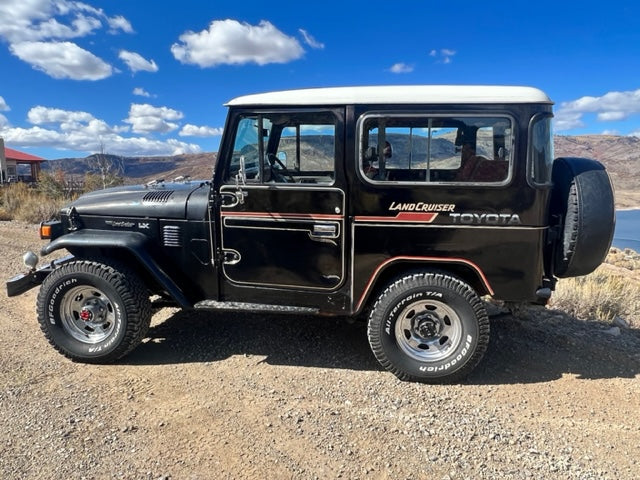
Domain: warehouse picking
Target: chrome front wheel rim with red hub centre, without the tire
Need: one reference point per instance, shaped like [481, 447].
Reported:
[87, 314]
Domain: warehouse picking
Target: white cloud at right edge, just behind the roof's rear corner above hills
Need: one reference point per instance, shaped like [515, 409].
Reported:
[611, 106]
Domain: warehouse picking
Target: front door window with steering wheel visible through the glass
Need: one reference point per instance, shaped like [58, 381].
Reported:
[285, 147]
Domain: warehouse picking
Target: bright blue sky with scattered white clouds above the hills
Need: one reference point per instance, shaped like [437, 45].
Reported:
[151, 78]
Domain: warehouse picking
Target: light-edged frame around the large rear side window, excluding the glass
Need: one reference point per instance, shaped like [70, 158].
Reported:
[429, 115]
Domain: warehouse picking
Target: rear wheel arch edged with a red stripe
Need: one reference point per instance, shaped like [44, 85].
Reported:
[395, 267]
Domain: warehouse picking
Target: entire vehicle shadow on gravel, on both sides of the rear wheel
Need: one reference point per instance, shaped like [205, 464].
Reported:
[536, 349]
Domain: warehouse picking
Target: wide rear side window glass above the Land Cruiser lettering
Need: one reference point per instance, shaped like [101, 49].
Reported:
[419, 148]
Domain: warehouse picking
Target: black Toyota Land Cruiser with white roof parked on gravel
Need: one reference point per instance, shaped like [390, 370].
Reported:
[404, 205]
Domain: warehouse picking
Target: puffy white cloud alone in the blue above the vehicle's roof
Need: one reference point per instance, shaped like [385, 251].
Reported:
[234, 43]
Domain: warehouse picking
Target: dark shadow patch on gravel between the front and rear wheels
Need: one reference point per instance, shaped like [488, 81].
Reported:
[301, 340]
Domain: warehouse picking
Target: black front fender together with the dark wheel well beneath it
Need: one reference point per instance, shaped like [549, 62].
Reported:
[131, 247]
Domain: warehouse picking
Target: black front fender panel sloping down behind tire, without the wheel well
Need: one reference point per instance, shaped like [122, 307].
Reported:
[134, 242]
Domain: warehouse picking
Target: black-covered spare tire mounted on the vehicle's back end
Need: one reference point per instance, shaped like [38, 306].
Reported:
[582, 201]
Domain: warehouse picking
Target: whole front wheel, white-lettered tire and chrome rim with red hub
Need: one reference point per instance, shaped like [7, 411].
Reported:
[93, 312]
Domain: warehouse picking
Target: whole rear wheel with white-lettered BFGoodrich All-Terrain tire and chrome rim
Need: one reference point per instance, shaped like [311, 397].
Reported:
[428, 327]
